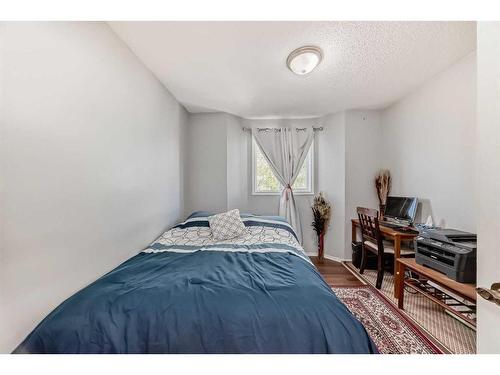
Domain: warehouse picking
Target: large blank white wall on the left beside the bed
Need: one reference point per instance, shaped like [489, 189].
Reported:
[90, 164]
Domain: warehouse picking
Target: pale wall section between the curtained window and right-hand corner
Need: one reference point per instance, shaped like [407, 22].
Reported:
[348, 159]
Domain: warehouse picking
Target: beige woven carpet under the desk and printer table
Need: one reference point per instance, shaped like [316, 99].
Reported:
[451, 333]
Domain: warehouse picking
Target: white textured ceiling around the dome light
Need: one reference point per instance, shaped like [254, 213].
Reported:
[239, 67]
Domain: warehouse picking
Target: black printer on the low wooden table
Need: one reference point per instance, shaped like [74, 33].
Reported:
[449, 251]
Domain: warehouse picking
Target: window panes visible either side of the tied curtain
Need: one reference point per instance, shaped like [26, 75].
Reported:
[264, 182]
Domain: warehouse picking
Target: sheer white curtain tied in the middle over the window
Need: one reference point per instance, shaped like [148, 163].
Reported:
[285, 149]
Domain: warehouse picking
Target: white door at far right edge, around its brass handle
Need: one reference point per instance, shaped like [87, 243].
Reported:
[488, 183]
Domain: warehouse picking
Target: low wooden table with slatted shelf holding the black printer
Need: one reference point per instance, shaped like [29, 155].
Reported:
[465, 291]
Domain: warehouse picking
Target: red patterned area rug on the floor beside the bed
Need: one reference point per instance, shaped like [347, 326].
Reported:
[392, 332]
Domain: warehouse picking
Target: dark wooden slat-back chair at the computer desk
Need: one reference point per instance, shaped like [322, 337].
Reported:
[373, 241]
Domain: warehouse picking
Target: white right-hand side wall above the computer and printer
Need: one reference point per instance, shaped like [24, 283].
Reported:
[429, 144]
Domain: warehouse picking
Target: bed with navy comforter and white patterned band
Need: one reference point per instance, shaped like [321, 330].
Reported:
[186, 293]
